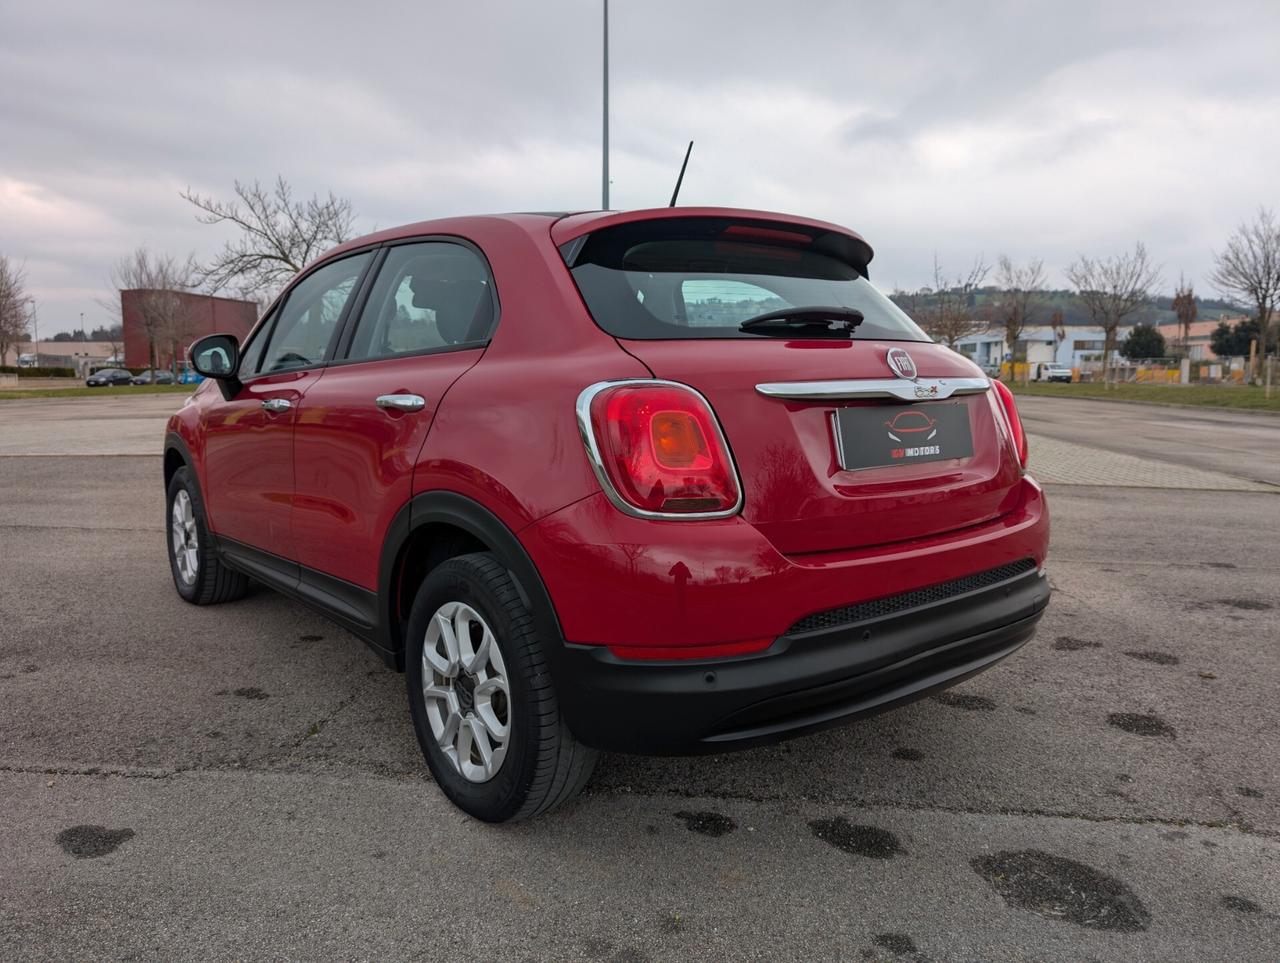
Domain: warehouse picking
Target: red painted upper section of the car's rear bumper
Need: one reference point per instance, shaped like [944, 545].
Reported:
[619, 582]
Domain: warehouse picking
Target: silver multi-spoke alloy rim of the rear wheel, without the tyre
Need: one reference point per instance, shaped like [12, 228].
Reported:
[467, 692]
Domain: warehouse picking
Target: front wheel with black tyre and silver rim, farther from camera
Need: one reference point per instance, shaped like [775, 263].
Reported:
[199, 574]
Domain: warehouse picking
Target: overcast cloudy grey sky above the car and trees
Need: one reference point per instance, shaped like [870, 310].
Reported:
[1036, 130]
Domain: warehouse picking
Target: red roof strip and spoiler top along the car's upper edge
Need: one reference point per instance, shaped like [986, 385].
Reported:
[566, 226]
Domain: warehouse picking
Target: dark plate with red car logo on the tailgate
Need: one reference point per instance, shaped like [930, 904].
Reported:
[881, 436]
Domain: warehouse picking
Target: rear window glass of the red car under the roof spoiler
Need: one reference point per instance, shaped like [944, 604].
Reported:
[703, 277]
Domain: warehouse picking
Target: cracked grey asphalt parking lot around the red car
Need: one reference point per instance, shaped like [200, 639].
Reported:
[243, 782]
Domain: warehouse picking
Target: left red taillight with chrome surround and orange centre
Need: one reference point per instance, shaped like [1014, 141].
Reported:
[659, 450]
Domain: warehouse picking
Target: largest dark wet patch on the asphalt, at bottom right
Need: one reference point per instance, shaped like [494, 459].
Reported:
[1057, 888]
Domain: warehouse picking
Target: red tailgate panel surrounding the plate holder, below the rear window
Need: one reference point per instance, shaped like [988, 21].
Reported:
[798, 496]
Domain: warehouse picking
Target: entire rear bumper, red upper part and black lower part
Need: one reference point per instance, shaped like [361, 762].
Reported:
[836, 635]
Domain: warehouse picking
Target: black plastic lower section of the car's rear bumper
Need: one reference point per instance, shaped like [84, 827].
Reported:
[807, 681]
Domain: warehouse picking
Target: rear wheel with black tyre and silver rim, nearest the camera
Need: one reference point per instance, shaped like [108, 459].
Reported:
[542, 765]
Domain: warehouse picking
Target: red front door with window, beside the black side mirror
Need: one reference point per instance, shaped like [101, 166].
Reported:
[249, 437]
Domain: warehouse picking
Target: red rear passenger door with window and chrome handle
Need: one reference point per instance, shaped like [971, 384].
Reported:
[427, 320]
